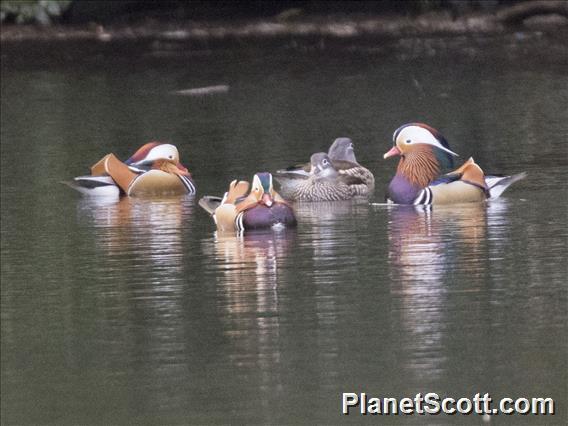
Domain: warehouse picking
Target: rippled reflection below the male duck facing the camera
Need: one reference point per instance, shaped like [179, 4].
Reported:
[249, 268]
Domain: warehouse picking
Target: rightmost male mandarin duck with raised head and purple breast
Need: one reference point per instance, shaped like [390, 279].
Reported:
[425, 155]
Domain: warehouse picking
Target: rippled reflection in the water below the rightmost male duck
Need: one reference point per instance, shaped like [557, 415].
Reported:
[430, 253]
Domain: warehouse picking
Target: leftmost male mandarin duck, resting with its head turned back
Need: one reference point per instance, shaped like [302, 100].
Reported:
[153, 170]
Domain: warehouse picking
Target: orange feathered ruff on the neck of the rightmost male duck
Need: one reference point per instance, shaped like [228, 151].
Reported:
[419, 167]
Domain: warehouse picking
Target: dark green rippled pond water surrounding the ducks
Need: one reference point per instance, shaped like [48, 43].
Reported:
[137, 312]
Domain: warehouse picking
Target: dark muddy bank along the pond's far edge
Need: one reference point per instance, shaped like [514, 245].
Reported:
[288, 25]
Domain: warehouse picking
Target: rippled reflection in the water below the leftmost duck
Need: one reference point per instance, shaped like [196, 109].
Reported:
[139, 284]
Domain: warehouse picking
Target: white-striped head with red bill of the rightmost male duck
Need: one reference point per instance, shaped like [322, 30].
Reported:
[415, 137]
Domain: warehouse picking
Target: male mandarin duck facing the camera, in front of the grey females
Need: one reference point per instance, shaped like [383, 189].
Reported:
[262, 208]
